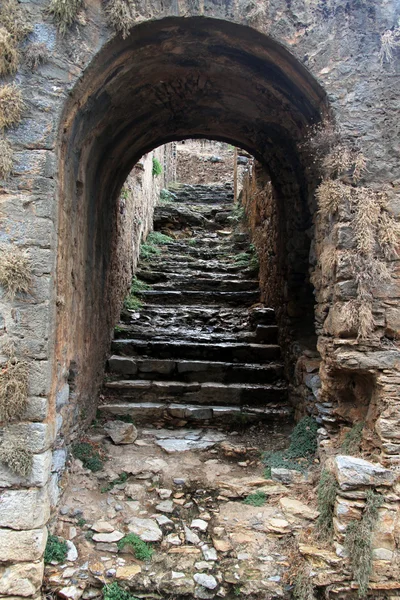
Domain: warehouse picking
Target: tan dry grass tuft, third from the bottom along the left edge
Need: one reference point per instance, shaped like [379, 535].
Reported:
[15, 271]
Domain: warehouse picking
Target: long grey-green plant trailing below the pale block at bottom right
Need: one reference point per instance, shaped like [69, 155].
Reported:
[358, 541]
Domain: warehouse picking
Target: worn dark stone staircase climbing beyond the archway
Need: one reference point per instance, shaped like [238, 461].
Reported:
[200, 350]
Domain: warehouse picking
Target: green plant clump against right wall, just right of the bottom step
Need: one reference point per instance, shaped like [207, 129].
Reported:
[303, 445]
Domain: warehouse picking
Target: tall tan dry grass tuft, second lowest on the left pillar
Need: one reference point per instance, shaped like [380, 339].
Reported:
[13, 389]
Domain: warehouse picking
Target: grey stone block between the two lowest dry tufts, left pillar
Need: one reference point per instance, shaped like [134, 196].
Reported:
[34, 437]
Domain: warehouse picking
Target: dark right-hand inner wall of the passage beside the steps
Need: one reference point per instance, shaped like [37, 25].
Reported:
[282, 232]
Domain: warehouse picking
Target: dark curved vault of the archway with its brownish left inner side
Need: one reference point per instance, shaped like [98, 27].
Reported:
[168, 80]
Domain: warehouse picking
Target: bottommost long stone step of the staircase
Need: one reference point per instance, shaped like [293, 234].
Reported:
[150, 412]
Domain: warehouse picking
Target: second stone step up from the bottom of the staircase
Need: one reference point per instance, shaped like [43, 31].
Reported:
[209, 392]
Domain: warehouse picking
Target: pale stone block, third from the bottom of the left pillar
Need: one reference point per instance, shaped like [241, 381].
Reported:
[24, 509]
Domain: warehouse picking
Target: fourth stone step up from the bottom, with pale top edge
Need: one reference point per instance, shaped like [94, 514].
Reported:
[226, 352]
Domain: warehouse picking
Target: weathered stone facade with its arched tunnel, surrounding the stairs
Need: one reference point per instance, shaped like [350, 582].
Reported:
[255, 74]
